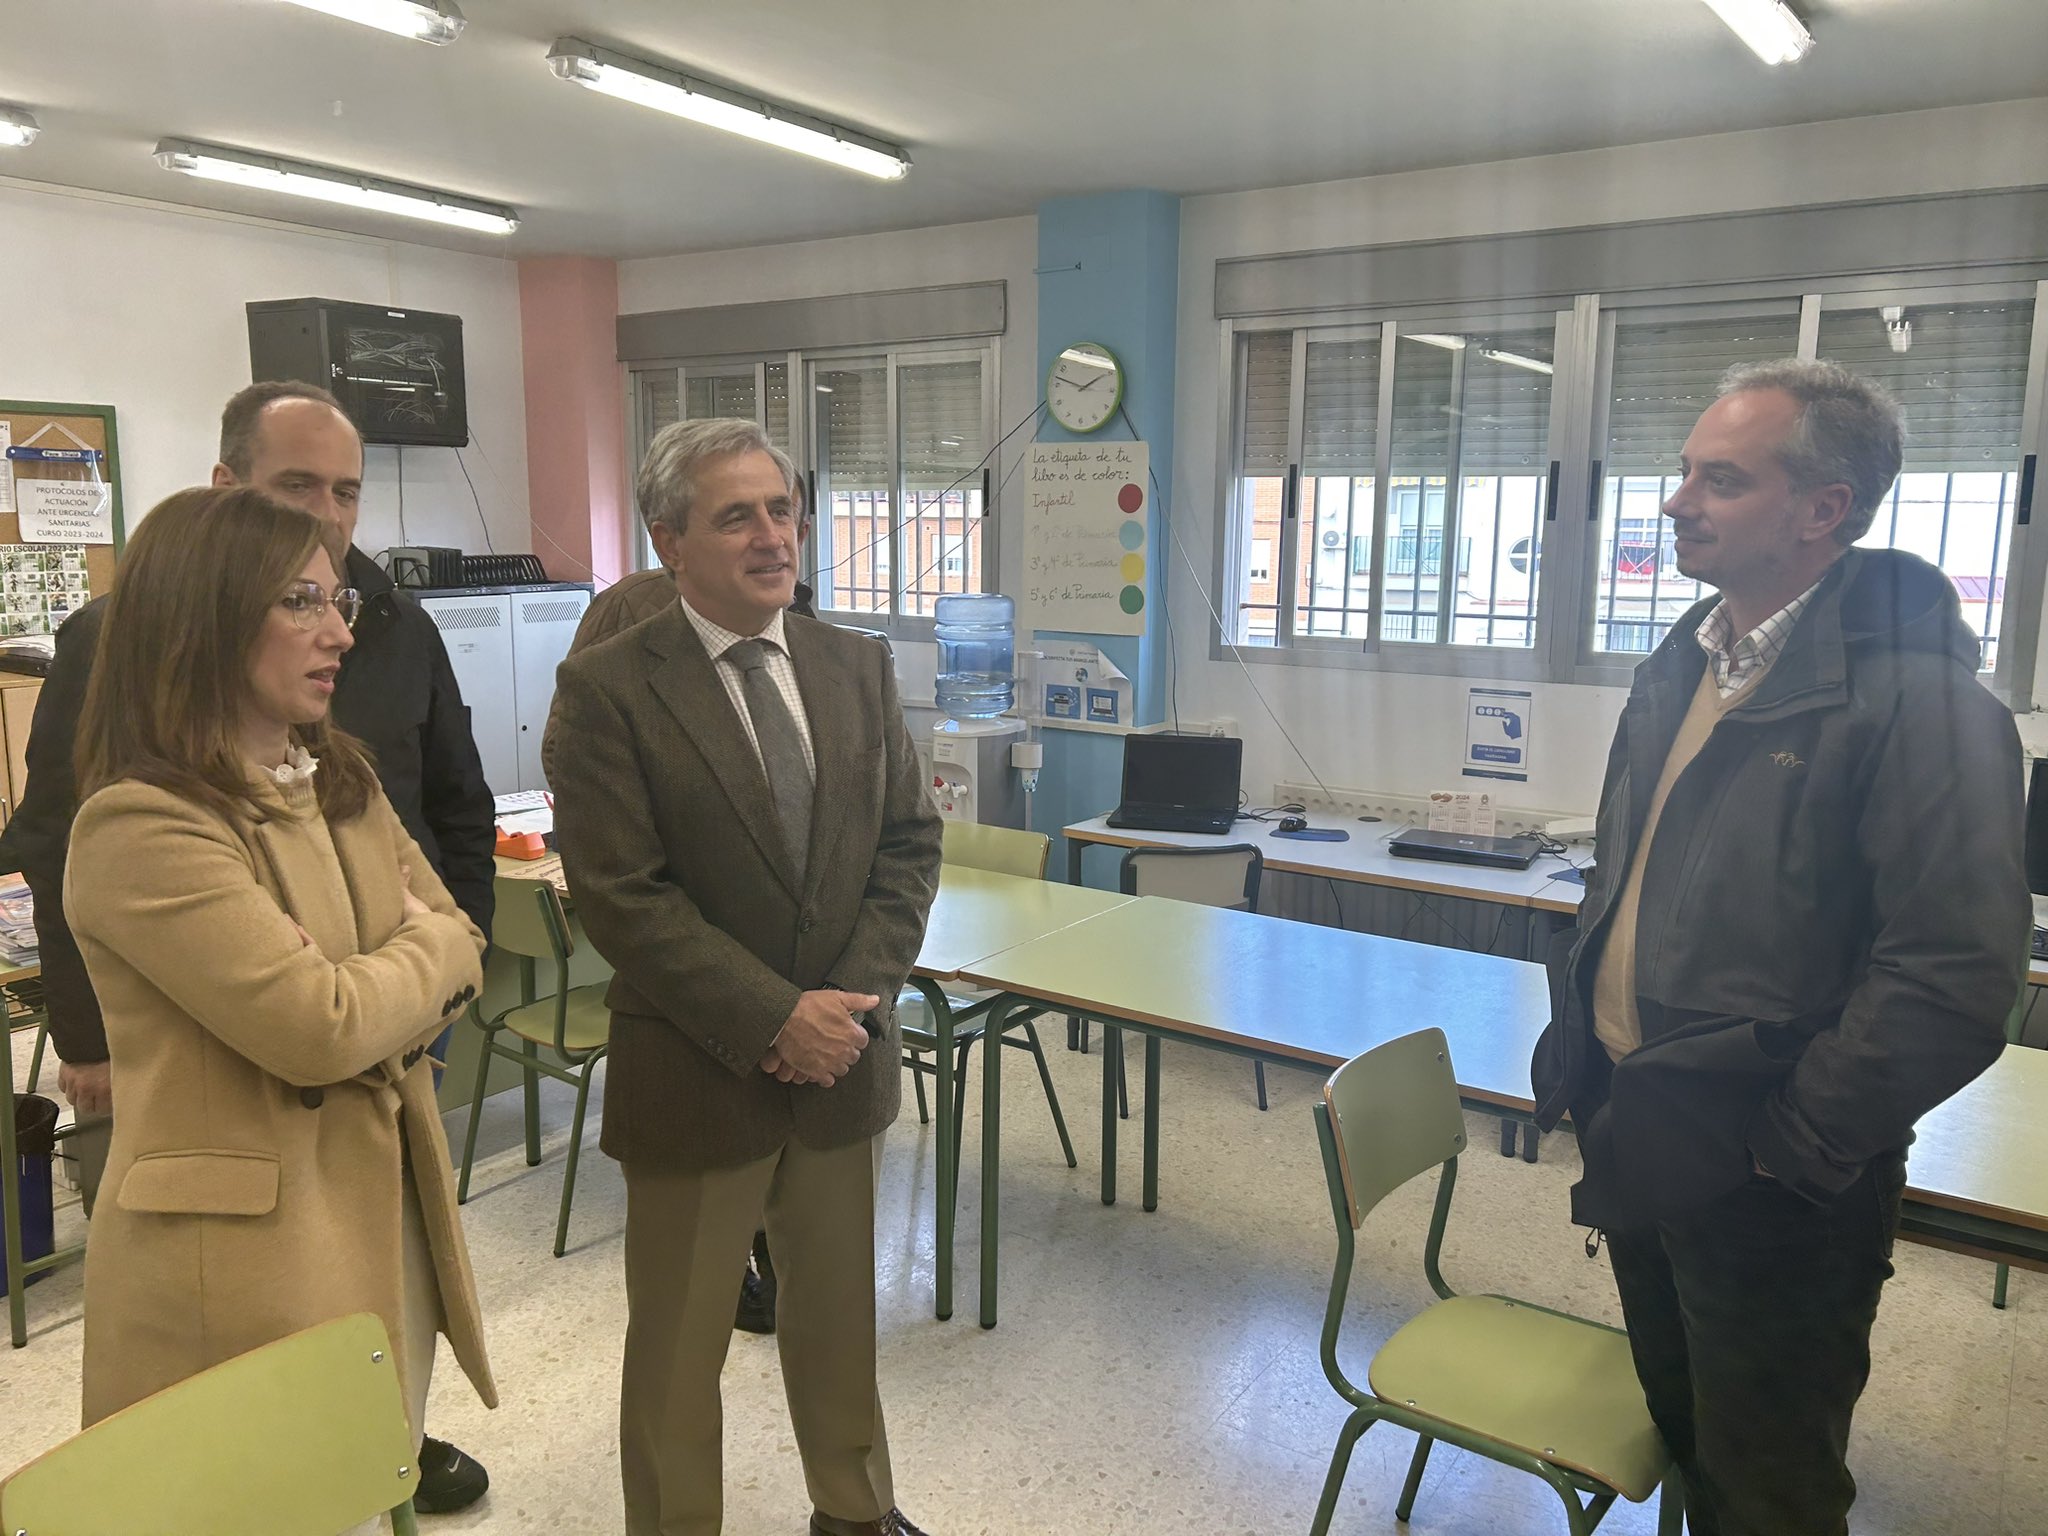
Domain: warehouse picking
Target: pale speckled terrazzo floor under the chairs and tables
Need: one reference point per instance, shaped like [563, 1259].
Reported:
[1154, 1373]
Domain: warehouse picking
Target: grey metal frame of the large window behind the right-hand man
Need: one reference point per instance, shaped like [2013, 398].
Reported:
[1568, 579]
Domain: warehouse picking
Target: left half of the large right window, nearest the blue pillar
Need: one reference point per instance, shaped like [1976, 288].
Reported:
[1394, 468]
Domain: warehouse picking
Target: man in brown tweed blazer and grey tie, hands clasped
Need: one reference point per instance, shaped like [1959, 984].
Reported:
[749, 843]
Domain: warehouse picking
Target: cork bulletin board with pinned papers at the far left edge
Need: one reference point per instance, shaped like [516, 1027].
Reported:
[60, 511]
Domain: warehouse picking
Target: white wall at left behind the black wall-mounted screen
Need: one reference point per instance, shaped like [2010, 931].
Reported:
[140, 308]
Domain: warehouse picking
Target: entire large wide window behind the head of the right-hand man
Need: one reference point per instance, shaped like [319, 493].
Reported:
[1402, 490]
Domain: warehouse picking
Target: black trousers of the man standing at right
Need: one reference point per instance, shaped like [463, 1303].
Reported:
[1750, 1322]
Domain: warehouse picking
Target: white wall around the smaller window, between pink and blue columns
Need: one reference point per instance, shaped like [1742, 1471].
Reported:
[906, 259]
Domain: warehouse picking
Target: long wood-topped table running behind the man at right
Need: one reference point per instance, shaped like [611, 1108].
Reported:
[1265, 986]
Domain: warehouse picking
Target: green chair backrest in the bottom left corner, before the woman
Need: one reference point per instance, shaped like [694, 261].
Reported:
[298, 1439]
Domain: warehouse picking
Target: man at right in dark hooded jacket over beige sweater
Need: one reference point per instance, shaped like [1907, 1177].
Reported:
[1805, 931]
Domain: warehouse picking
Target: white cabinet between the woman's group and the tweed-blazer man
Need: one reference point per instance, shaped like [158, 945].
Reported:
[505, 648]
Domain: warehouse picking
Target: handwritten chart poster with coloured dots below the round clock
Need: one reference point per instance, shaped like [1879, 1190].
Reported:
[1084, 538]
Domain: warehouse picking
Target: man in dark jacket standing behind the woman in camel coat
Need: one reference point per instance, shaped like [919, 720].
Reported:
[396, 693]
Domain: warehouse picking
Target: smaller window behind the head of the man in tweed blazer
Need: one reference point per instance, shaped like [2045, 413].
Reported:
[892, 445]
